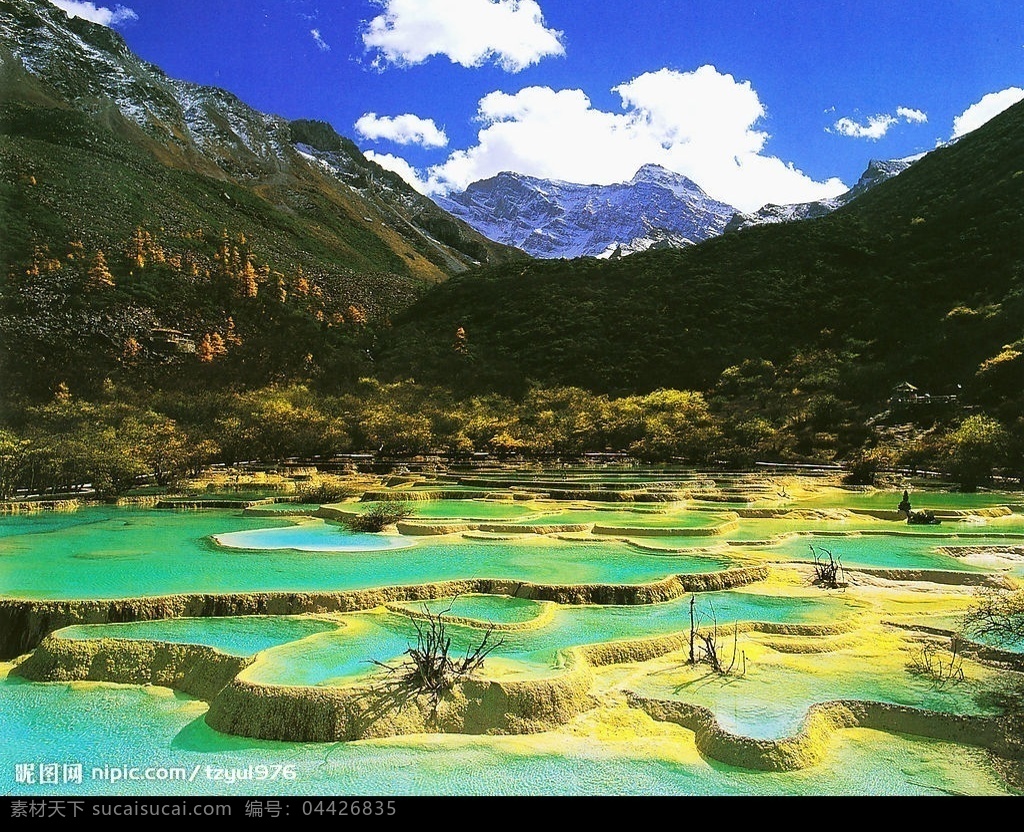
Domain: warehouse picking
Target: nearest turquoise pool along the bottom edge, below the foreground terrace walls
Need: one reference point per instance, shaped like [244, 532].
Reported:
[112, 726]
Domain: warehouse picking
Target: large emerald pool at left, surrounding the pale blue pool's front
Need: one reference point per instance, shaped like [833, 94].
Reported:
[107, 553]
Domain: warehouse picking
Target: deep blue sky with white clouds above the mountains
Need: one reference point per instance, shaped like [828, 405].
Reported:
[757, 101]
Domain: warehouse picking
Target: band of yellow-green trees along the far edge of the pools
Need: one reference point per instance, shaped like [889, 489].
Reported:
[123, 438]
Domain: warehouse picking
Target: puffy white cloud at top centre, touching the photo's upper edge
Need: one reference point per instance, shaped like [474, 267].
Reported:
[511, 33]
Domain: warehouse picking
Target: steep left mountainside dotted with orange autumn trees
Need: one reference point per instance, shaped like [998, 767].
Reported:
[276, 241]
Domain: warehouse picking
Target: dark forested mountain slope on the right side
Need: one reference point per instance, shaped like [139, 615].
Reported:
[921, 278]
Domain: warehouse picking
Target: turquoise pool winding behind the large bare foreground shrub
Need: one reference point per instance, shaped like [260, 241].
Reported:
[347, 654]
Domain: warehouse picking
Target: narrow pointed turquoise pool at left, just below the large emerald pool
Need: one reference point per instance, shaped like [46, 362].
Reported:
[242, 636]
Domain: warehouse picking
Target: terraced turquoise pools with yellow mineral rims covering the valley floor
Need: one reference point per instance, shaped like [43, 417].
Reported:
[795, 647]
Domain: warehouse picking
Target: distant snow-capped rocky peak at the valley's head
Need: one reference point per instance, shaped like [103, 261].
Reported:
[550, 219]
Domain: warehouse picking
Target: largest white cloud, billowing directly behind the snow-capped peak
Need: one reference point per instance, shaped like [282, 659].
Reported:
[700, 124]
